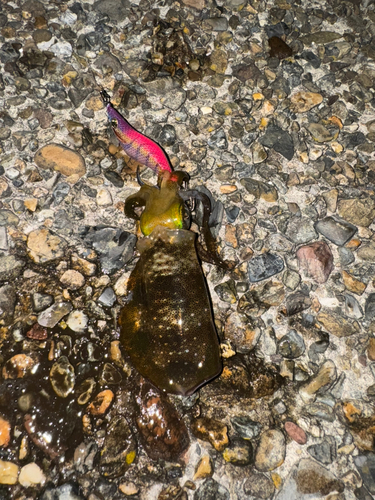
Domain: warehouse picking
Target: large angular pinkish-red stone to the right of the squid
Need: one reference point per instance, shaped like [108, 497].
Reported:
[316, 260]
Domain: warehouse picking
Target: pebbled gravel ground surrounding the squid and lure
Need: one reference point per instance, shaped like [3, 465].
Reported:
[269, 107]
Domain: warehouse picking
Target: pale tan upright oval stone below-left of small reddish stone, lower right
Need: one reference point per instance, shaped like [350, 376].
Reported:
[270, 453]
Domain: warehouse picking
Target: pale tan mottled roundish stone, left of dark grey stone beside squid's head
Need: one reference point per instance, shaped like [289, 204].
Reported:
[44, 246]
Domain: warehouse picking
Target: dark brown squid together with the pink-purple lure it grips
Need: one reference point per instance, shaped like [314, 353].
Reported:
[167, 326]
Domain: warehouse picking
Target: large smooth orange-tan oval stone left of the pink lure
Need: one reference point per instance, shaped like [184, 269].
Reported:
[61, 159]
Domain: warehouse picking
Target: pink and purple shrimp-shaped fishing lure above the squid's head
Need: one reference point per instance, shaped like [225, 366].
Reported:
[136, 145]
